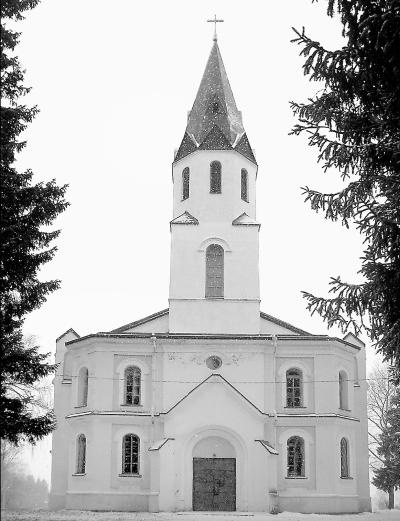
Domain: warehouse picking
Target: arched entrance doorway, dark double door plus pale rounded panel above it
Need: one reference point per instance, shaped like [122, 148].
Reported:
[214, 475]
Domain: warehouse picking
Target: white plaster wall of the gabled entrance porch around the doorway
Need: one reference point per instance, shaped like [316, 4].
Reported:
[224, 415]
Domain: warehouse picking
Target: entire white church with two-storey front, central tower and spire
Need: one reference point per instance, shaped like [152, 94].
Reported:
[211, 404]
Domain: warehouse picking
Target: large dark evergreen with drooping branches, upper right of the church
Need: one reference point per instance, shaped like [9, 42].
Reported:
[354, 121]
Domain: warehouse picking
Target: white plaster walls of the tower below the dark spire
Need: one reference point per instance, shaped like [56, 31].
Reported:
[238, 311]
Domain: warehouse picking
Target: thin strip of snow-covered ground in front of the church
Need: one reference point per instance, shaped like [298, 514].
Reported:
[77, 515]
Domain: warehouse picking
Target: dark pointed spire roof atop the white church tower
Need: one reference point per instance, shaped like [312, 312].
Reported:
[215, 123]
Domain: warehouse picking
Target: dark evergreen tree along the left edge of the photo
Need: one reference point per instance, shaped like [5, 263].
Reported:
[26, 210]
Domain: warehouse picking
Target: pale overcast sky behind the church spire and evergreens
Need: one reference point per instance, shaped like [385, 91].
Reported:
[114, 82]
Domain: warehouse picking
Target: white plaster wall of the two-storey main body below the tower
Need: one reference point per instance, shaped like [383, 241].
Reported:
[214, 409]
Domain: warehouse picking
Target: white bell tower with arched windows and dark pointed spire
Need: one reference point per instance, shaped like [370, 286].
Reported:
[214, 278]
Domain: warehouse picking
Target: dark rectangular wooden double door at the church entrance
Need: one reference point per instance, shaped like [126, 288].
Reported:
[214, 484]
